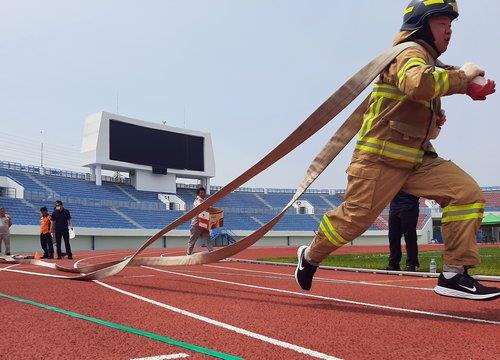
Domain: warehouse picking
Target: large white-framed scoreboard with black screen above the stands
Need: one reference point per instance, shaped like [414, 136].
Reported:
[155, 155]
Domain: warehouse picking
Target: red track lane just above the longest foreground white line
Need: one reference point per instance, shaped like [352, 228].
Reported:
[332, 327]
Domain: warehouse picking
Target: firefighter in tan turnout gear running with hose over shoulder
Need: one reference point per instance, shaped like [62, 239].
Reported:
[393, 153]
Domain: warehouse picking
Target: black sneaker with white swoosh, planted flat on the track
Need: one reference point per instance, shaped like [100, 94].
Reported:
[465, 286]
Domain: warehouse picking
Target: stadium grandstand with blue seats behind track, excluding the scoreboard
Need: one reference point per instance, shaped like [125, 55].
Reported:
[115, 204]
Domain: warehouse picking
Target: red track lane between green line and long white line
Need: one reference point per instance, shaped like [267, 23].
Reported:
[88, 298]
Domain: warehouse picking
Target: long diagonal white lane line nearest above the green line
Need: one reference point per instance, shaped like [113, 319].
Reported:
[229, 327]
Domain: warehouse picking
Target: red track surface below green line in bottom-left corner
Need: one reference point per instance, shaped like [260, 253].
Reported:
[46, 334]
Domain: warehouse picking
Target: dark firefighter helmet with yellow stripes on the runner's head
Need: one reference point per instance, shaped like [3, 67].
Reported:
[419, 10]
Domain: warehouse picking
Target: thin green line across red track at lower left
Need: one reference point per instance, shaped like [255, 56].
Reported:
[128, 329]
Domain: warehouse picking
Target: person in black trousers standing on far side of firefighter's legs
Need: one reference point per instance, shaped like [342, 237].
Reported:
[403, 218]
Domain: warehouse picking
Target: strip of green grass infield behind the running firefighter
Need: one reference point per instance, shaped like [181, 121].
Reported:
[490, 261]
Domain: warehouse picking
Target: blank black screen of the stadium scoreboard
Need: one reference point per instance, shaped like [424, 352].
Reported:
[157, 148]
